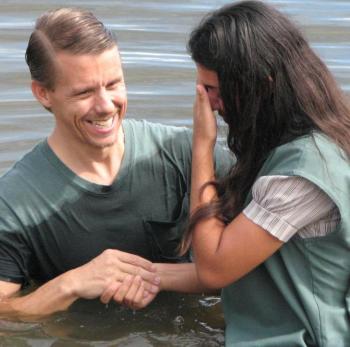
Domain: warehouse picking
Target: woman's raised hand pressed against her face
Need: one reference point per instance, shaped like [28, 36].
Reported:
[204, 120]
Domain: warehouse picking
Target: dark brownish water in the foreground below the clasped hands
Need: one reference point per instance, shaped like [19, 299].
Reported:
[172, 320]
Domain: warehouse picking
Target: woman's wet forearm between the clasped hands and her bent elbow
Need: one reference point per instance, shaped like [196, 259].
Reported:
[180, 278]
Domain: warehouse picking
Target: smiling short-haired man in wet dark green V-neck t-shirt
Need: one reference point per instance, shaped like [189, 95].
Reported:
[86, 207]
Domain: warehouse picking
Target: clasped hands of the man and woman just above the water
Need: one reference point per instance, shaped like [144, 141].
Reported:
[114, 275]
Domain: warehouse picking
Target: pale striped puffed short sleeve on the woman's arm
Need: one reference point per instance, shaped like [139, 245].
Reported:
[286, 205]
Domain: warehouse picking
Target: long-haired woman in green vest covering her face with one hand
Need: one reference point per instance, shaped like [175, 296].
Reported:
[274, 233]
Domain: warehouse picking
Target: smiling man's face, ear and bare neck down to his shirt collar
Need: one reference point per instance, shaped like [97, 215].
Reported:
[88, 100]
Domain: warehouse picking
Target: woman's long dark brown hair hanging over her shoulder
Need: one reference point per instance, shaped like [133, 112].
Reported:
[274, 89]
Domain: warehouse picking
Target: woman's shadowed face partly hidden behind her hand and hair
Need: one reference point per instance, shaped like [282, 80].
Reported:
[210, 81]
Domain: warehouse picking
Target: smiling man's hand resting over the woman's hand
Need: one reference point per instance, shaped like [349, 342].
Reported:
[109, 270]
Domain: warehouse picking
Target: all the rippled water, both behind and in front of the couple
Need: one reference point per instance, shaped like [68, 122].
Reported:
[160, 78]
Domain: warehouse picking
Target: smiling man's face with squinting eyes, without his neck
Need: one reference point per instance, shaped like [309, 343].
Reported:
[89, 98]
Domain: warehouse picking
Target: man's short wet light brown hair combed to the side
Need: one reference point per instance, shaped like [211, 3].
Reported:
[71, 30]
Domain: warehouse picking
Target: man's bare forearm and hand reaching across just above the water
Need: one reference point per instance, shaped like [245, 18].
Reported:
[88, 281]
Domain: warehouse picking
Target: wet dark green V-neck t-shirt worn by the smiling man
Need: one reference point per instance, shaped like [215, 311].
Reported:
[51, 220]
